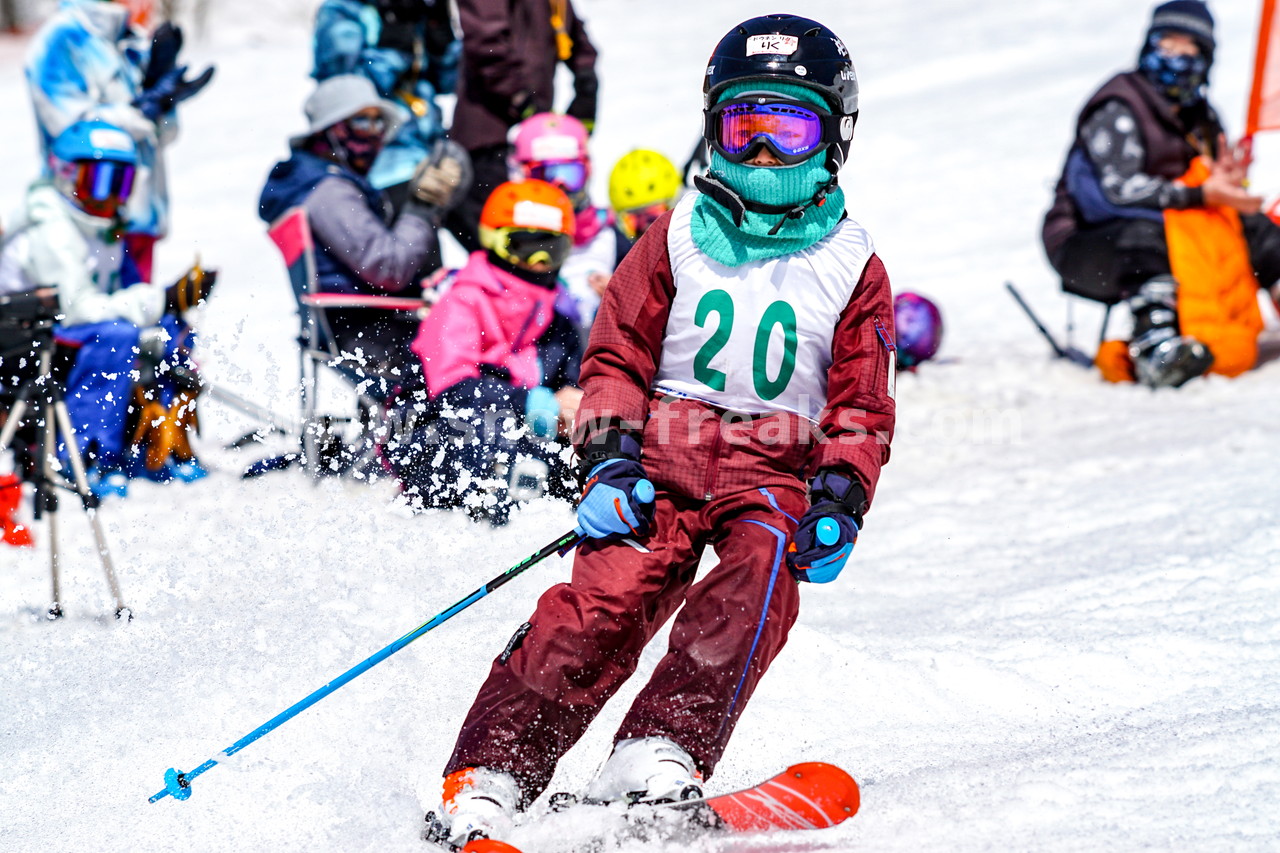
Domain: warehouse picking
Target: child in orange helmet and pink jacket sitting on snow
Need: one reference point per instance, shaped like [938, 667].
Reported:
[493, 352]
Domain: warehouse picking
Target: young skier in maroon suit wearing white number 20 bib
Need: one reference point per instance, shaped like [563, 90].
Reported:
[738, 395]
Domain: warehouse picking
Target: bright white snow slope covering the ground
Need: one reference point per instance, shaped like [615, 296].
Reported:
[1060, 628]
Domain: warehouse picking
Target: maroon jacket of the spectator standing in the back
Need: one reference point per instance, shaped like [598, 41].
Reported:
[509, 67]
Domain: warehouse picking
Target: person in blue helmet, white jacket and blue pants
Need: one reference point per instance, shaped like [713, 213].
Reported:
[68, 238]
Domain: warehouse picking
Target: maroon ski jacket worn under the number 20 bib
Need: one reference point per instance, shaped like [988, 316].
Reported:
[703, 453]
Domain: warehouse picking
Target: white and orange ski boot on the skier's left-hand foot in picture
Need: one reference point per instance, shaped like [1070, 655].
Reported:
[477, 804]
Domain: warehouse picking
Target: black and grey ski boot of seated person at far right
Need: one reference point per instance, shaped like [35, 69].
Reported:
[1162, 357]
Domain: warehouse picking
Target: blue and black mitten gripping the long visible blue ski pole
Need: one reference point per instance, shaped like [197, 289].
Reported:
[618, 496]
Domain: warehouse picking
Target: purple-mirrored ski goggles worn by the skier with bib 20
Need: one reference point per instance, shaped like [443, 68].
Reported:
[790, 130]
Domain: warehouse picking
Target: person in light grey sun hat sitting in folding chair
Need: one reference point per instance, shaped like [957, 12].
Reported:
[360, 249]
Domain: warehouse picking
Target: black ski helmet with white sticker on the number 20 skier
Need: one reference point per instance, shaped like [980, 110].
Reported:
[789, 49]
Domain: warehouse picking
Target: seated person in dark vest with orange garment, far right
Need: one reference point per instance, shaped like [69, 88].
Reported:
[1153, 209]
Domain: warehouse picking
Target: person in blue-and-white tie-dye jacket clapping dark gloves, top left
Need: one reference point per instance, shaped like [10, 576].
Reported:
[88, 63]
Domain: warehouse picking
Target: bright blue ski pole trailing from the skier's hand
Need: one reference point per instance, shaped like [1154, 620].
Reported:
[177, 784]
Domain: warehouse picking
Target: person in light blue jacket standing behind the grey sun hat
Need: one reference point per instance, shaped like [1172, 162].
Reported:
[410, 53]
